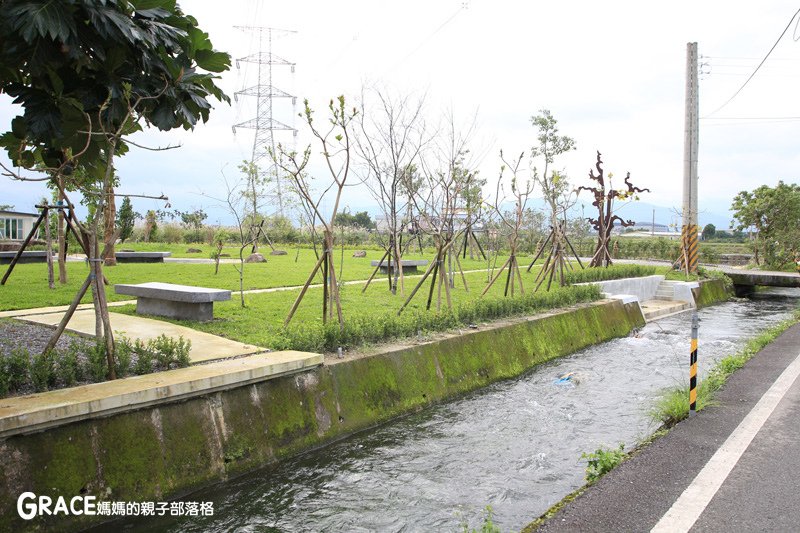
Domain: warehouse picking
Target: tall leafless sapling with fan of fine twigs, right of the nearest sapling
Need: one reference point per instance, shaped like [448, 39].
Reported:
[388, 141]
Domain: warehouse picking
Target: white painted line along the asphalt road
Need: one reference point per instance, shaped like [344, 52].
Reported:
[691, 504]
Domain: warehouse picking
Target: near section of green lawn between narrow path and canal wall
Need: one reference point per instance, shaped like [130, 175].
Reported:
[370, 315]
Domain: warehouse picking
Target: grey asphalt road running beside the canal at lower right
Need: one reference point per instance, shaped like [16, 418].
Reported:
[760, 493]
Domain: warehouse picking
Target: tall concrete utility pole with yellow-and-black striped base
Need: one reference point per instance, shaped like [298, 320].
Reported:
[689, 230]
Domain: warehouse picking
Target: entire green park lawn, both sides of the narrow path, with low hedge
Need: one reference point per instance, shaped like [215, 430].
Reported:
[370, 316]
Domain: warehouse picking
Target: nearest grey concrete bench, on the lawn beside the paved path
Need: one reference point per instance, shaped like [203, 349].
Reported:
[183, 302]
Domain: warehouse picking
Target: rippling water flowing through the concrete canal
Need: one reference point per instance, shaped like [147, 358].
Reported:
[515, 445]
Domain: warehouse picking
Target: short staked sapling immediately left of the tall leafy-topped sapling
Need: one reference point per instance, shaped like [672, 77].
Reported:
[512, 222]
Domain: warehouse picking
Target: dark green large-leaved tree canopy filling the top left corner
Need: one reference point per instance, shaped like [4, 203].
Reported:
[83, 67]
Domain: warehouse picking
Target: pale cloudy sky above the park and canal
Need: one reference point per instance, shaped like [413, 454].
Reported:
[612, 73]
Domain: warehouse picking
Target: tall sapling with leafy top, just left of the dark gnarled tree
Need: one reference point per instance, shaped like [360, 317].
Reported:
[557, 194]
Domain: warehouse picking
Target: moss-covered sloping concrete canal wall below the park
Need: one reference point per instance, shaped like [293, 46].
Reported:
[169, 450]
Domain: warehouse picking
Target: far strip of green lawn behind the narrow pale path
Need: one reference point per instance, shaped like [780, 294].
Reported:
[27, 286]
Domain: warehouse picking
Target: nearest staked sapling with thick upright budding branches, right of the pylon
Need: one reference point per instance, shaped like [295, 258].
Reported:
[336, 143]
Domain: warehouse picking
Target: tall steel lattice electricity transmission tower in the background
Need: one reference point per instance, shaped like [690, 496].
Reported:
[264, 123]
